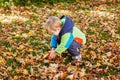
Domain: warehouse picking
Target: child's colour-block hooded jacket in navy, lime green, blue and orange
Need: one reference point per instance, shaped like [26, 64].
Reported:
[66, 36]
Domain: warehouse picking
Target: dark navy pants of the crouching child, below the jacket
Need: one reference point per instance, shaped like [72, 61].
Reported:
[74, 48]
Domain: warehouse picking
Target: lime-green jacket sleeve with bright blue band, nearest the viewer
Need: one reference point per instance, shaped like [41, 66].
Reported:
[66, 41]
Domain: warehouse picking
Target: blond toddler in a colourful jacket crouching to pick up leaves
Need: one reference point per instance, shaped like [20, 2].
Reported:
[65, 36]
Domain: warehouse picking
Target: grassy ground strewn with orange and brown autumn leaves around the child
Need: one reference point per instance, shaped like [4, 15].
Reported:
[24, 42]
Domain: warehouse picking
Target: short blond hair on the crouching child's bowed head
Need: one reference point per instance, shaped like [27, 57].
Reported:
[52, 23]
